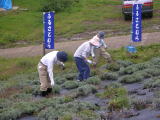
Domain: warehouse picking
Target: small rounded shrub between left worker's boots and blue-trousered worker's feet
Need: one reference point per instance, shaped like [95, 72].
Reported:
[70, 84]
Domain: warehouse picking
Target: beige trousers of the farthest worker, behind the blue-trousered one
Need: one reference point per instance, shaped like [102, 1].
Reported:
[101, 52]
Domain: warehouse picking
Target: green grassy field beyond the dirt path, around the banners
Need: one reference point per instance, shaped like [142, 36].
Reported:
[23, 27]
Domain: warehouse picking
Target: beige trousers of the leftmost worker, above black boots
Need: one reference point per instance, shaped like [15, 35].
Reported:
[43, 76]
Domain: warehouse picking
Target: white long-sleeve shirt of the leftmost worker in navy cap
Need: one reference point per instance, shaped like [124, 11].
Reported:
[49, 60]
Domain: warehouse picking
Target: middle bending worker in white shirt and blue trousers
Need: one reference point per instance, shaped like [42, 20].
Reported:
[81, 59]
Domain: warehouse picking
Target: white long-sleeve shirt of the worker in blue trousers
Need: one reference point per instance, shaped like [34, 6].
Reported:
[84, 50]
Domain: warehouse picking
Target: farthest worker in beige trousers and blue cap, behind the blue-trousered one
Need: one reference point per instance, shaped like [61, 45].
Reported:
[100, 50]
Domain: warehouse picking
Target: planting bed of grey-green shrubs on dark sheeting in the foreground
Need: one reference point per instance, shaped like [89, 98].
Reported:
[120, 91]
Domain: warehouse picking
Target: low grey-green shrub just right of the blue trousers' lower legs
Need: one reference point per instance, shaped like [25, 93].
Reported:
[109, 76]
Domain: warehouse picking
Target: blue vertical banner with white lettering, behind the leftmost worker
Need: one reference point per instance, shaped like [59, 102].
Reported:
[48, 21]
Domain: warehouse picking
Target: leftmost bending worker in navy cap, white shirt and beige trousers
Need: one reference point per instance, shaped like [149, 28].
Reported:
[45, 69]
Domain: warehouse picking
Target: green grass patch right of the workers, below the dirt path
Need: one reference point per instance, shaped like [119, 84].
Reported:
[143, 53]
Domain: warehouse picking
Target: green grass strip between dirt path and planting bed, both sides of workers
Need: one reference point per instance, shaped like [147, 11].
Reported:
[12, 66]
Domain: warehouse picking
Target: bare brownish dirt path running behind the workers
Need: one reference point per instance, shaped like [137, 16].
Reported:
[113, 43]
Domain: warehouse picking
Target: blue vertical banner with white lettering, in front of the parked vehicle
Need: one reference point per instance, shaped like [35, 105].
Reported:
[137, 23]
